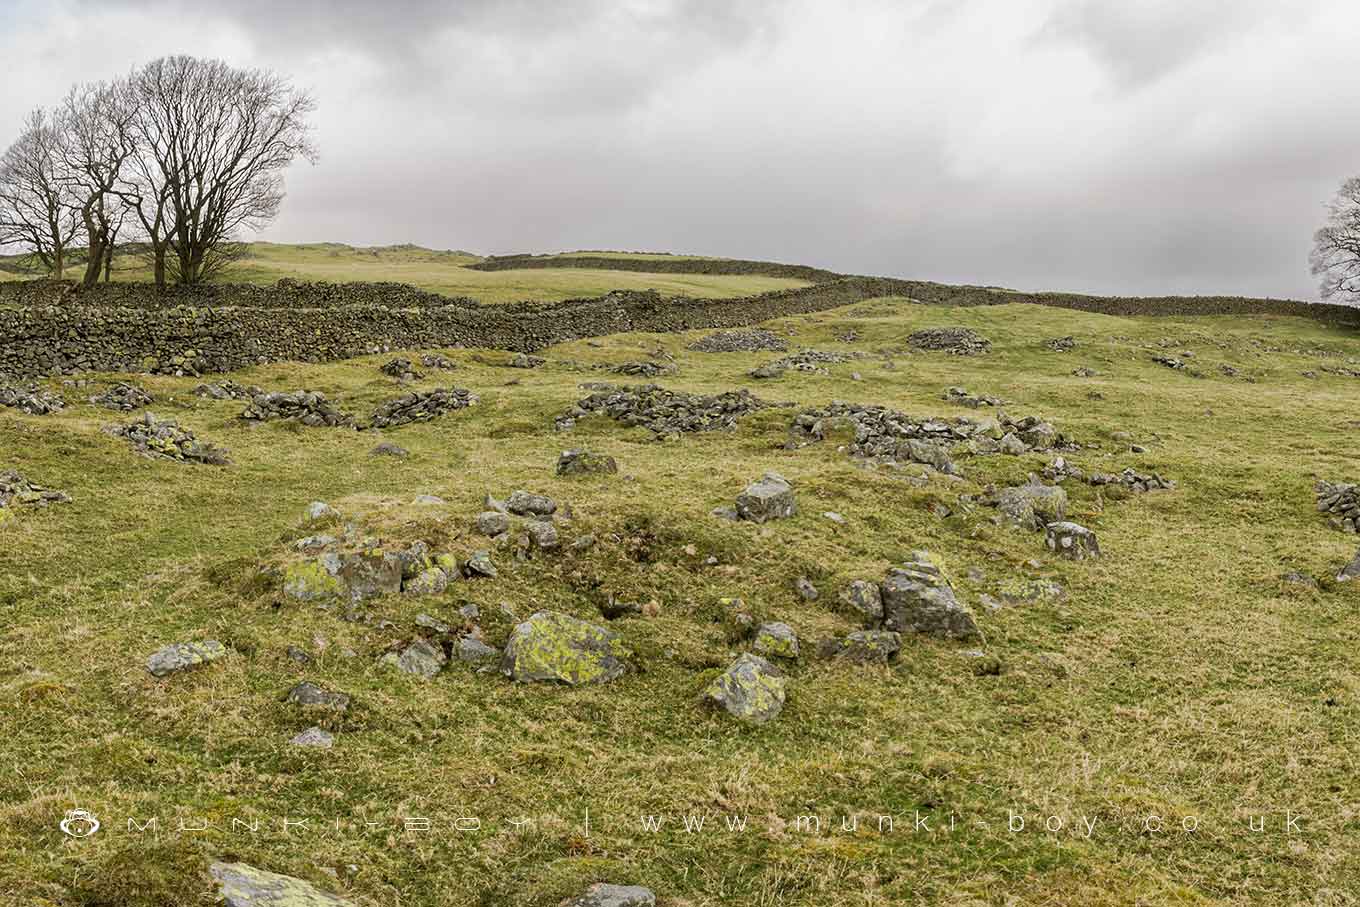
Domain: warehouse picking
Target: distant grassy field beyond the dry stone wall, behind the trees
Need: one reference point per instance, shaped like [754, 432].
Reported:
[445, 273]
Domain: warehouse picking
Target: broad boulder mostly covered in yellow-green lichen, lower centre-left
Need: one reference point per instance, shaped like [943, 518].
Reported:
[560, 648]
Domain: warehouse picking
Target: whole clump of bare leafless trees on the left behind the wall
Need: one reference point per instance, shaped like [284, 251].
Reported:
[187, 152]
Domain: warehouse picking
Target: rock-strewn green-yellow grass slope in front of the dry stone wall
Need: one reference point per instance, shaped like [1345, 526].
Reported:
[1178, 677]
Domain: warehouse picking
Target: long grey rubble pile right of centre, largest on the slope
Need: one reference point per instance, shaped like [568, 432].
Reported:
[891, 436]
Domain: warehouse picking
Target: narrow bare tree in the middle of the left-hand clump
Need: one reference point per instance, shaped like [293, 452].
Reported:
[99, 143]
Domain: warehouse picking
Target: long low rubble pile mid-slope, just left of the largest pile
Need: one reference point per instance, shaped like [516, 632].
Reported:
[666, 413]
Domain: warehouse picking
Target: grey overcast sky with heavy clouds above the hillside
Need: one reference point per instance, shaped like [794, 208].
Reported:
[1109, 146]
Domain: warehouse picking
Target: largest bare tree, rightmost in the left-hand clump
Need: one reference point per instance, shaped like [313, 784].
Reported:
[214, 142]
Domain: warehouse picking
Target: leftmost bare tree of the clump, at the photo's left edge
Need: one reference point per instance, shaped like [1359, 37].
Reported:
[37, 207]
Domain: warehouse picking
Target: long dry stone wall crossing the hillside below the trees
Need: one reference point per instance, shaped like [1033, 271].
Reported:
[50, 328]
